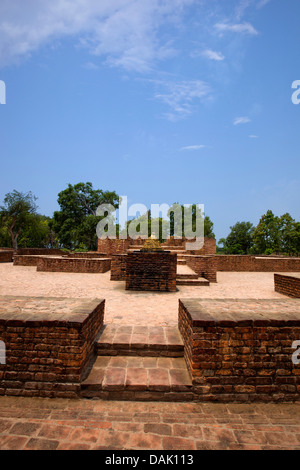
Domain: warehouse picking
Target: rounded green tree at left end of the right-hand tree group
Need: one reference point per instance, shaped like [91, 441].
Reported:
[239, 240]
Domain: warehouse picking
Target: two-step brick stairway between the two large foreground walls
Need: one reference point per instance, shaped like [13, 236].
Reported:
[139, 363]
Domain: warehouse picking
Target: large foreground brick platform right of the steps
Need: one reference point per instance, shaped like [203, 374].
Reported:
[241, 350]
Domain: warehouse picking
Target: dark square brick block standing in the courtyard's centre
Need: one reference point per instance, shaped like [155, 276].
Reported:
[151, 271]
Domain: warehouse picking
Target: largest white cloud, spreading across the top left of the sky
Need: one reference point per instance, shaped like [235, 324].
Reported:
[125, 32]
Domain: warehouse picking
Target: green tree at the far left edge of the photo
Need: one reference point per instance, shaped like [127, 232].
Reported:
[16, 213]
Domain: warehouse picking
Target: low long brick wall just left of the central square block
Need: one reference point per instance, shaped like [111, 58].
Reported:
[73, 265]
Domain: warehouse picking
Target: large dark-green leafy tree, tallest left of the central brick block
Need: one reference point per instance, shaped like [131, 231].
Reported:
[75, 224]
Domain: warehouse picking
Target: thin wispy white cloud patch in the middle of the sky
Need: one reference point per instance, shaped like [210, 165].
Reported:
[181, 96]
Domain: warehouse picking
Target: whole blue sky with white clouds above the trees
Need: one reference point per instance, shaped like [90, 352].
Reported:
[160, 100]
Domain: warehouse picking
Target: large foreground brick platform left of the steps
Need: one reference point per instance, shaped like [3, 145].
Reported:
[49, 344]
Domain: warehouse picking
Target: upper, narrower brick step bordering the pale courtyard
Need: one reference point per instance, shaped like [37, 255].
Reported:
[140, 341]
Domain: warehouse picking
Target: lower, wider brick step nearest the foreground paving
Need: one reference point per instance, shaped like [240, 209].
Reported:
[138, 378]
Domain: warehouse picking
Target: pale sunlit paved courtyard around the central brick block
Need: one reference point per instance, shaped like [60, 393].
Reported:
[131, 308]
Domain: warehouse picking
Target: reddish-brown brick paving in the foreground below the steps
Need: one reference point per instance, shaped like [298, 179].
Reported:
[63, 424]
